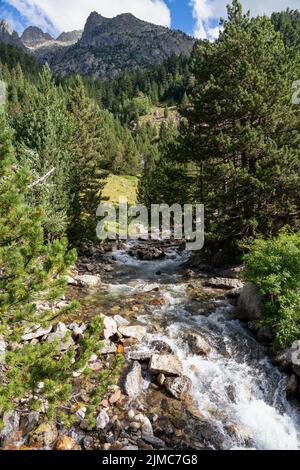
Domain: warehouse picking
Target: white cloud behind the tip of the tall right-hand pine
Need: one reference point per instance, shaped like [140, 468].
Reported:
[207, 11]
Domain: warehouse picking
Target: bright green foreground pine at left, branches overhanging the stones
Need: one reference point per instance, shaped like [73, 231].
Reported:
[31, 273]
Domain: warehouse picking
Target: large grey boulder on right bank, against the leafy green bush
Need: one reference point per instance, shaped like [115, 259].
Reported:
[250, 303]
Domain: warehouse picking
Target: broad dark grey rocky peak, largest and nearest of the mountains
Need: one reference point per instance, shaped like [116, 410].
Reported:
[108, 46]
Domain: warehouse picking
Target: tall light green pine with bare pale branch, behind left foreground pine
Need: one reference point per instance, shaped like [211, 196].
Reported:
[43, 135]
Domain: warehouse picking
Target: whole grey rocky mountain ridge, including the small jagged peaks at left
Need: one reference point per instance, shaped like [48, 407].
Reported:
[105, 47]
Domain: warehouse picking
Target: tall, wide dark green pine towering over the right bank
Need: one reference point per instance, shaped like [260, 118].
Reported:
[243, 130]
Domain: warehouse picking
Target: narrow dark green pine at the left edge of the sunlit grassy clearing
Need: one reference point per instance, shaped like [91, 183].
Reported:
[87, 177]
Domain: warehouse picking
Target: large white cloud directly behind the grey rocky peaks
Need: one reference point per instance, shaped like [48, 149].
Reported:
[67, 15]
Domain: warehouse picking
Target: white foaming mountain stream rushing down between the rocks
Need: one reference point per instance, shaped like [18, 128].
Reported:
[235, 383]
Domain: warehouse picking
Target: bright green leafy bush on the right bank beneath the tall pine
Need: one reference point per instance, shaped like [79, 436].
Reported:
[274, 265]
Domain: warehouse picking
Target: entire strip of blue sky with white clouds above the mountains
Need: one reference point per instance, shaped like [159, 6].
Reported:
[196, 17]
